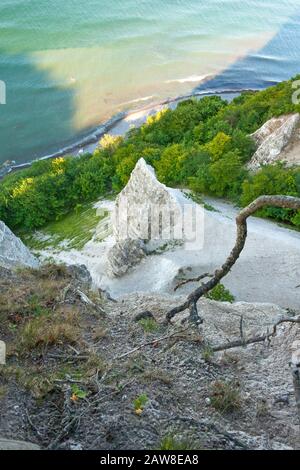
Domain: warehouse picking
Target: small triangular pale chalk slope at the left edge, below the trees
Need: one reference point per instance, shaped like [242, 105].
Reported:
[13, 252]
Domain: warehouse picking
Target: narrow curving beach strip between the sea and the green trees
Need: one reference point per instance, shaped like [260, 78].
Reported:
[119, 124]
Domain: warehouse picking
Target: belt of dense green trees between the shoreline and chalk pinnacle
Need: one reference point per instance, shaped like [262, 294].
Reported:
[202, 144]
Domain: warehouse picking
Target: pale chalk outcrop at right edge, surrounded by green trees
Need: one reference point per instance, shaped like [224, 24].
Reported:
[276, 140]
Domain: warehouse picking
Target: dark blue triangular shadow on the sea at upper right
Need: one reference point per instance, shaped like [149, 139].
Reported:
[278, 60]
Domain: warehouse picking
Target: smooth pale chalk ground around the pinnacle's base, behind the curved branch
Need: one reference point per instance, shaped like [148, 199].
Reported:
[267, 271]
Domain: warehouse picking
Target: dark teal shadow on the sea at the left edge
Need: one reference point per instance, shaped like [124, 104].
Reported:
[37, 117]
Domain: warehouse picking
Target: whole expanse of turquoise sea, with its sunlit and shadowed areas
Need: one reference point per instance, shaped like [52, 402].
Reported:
[70, 65]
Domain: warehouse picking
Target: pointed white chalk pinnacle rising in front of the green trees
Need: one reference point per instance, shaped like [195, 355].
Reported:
[145, 218]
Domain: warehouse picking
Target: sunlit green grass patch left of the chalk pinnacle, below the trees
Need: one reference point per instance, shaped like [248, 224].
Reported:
[71, 232]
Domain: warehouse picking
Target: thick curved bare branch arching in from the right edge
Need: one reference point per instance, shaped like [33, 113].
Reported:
[286, 202]
